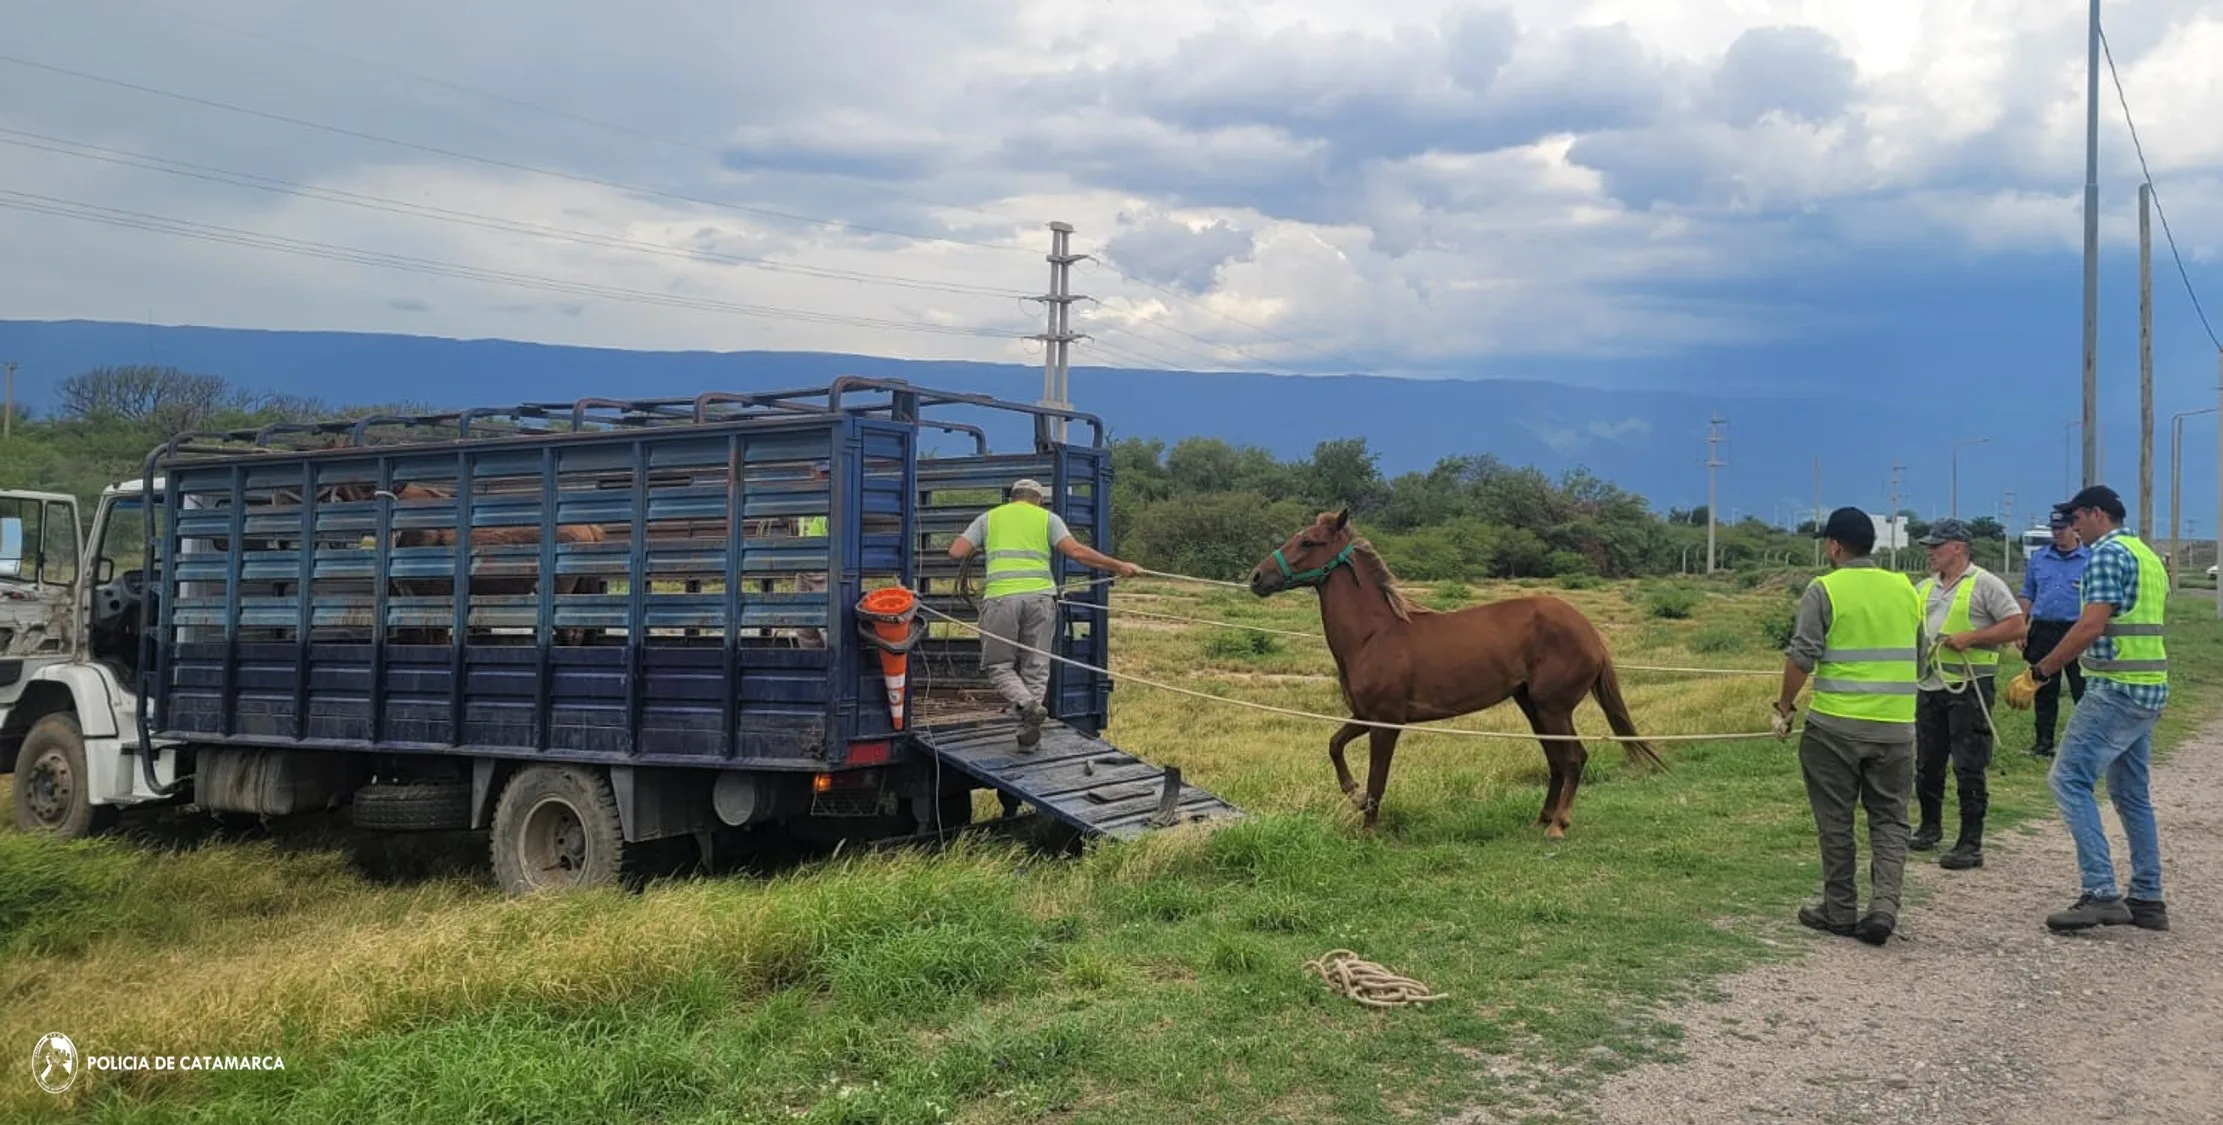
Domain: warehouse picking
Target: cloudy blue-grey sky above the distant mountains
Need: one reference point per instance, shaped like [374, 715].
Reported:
[1668, 190]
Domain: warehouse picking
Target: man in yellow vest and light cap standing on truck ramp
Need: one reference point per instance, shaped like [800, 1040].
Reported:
[1019, 608]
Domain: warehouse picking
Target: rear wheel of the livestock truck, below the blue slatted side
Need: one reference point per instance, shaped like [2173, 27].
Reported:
[557, 828]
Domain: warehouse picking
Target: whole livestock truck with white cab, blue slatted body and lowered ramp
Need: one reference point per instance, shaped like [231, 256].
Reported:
[581, 626]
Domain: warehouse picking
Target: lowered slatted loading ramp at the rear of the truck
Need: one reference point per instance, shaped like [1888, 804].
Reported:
[1081, 781]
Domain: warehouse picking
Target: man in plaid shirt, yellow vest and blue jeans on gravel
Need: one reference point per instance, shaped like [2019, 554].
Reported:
[2120, 641]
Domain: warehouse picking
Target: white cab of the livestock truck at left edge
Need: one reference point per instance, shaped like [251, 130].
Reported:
[70, 641]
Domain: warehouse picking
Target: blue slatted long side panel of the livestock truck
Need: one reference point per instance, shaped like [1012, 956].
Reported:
[695, 675]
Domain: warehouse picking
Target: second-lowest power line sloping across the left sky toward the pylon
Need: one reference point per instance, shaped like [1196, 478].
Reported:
[466, 219]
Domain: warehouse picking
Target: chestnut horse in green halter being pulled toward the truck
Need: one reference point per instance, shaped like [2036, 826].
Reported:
[1404, 664]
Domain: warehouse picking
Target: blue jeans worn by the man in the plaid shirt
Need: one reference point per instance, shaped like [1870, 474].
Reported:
[2111, 737]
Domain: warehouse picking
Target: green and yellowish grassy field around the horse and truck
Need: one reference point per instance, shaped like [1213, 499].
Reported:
[1150, 982]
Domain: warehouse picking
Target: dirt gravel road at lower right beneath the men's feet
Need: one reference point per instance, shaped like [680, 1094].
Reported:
[1980, 1015]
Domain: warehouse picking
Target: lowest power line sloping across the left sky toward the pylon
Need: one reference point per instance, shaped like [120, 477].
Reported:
[208, 232]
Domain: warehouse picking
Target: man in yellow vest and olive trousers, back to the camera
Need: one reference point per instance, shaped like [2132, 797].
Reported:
[1860, 637]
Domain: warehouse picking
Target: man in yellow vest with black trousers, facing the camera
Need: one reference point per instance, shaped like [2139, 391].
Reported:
[1968, 615]
